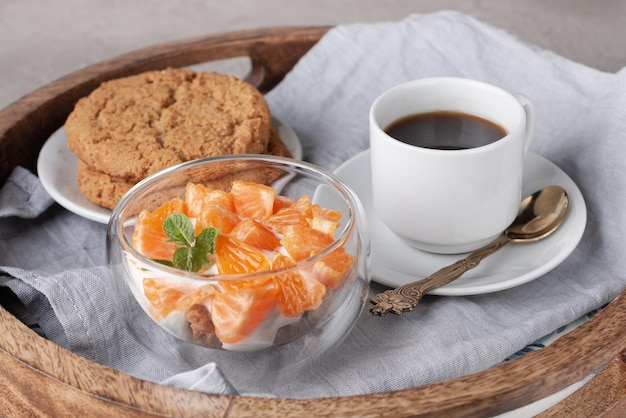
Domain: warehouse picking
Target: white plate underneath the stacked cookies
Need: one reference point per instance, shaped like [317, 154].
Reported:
[56, 167]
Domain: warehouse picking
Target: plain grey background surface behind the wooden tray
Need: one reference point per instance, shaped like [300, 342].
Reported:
[41, 40]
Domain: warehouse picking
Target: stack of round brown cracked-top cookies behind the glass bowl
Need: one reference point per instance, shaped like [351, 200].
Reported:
[130, 128]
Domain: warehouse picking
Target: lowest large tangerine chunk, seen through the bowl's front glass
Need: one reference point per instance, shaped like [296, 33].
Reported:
[236, 314]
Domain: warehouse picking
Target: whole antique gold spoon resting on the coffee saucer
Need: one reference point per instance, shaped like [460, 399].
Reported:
[539, 215]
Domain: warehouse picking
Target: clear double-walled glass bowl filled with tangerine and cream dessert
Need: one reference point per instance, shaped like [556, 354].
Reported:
[303, 300]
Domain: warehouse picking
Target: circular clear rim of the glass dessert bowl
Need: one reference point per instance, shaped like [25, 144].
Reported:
[326, 177]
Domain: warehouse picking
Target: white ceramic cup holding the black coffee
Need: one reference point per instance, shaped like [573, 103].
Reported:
[441, 200]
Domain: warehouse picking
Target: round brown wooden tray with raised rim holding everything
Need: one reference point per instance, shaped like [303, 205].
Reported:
[37, 377]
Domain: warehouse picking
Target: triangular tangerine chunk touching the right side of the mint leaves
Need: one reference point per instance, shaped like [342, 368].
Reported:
[234, 256]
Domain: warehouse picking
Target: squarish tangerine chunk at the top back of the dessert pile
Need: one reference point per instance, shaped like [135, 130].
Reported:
[253, 200]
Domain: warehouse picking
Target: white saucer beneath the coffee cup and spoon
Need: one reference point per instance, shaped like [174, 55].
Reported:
[395, 263]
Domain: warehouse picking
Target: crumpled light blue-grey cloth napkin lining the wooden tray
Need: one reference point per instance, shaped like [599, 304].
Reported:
[326, 98]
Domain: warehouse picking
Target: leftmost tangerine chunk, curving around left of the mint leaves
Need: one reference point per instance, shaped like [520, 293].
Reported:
[149, 238]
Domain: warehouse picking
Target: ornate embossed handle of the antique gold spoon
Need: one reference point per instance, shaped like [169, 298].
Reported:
[405, 298]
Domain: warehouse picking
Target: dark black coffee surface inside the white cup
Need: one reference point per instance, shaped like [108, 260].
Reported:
[445, 130]
